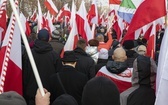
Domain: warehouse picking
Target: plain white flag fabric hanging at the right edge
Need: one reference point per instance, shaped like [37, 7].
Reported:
[162, 73]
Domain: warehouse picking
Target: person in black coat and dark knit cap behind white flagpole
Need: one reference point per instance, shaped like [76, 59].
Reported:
[47, 61]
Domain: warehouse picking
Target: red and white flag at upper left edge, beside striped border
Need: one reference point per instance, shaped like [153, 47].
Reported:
[3, 19]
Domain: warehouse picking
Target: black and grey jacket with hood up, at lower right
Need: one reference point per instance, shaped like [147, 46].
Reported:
[143, 79]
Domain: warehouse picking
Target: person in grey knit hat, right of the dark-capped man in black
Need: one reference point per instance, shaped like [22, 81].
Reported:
[55, 43]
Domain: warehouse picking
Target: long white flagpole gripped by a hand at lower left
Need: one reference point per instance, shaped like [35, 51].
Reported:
[39, 83]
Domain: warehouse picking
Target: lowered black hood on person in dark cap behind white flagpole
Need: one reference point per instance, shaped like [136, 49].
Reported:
[42, 46]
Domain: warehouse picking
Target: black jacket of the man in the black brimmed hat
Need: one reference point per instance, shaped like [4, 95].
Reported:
[73, 83]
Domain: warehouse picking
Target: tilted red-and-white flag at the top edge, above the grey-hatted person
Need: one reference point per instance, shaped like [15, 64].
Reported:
[51, 7]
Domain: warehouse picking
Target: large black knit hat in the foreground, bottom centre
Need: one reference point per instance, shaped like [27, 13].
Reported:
[100, 91]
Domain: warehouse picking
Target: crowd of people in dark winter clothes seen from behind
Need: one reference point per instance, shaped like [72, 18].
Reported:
[102, 71]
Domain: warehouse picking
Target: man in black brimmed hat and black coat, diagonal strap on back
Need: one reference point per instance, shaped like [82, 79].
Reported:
[69, 80]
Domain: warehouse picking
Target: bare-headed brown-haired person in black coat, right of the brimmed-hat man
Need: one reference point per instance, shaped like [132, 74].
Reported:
[85, 63]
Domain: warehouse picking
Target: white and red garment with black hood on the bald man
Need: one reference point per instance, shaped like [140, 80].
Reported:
[119, 73]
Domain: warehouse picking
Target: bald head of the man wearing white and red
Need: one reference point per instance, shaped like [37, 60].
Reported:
[119, 55]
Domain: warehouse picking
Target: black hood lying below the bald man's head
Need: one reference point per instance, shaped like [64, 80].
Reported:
[116, 67]
